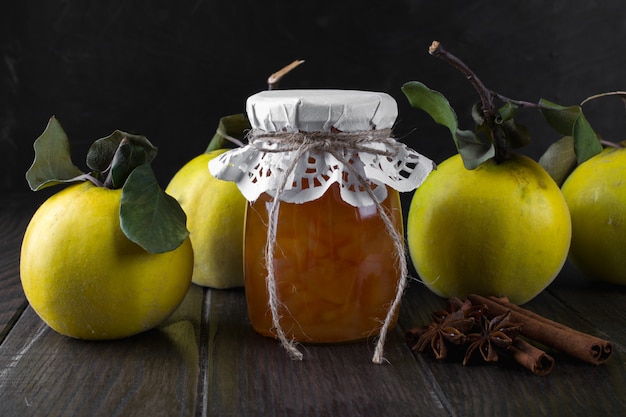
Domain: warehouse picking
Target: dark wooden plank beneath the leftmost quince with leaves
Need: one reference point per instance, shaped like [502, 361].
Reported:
[154, 373]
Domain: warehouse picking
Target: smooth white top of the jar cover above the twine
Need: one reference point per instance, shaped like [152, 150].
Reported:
[320, 110]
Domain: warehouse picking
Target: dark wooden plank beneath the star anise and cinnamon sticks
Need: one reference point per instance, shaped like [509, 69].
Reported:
[507, 389]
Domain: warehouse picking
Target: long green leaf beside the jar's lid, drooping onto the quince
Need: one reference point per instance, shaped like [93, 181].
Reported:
[473, 149]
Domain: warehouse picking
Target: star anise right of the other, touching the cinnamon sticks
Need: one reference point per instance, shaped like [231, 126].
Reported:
[495, 333]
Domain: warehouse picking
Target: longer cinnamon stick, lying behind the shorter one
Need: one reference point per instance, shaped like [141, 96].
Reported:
[577, 344]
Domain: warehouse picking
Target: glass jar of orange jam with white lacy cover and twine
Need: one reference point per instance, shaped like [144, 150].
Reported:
[324, 254]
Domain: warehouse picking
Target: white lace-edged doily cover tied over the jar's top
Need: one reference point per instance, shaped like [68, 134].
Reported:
[302, 171]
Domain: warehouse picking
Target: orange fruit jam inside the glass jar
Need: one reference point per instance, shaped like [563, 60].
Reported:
[335, 267]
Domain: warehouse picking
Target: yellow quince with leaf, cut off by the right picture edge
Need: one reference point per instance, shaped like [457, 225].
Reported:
[593, 181]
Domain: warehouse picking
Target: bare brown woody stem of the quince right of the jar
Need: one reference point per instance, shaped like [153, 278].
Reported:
[486, 98]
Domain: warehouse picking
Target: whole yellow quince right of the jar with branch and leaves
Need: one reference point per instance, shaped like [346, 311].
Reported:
[489, 220]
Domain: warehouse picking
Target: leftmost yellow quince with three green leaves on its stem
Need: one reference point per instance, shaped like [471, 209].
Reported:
[108, 256]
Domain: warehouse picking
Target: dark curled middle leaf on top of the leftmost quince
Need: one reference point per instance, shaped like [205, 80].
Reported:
[117, 155]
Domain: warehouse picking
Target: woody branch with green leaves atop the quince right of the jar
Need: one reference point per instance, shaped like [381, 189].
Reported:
[496, 131]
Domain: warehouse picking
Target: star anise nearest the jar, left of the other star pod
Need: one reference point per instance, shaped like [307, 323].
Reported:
[447, 327]
